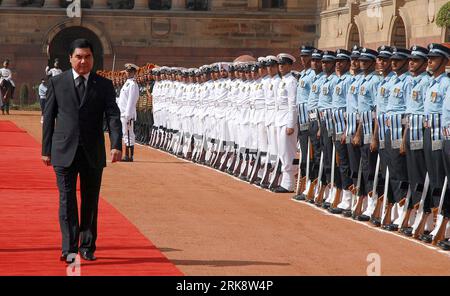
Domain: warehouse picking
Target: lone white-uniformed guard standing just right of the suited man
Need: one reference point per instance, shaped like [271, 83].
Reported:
[129, 95]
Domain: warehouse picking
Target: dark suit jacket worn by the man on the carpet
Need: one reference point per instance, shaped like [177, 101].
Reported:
[66, 122]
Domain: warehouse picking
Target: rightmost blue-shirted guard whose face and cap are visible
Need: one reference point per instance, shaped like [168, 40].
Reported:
[436, 130]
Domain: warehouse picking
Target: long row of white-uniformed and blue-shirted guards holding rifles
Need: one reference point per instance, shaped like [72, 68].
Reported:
[370, 129]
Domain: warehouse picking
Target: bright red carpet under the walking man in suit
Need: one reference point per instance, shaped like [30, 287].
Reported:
[29, 229]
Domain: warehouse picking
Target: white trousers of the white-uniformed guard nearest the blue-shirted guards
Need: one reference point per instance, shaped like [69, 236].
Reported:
[287, 149]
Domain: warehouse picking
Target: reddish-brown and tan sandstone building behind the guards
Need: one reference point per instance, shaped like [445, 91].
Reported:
[195, 32]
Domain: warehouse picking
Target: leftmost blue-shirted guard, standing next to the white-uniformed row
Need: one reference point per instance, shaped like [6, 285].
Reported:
[303, 89]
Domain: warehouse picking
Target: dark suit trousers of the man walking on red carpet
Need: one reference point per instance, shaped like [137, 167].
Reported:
[74, 234]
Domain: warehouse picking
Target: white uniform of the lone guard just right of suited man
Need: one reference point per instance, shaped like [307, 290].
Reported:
[129, 95]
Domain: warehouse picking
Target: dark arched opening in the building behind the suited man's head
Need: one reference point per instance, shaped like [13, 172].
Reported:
[59, 46]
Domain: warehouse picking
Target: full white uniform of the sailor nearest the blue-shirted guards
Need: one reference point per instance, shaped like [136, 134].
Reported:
[286, 117]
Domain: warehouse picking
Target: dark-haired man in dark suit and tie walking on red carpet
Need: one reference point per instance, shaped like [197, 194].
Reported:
[73, 142]
